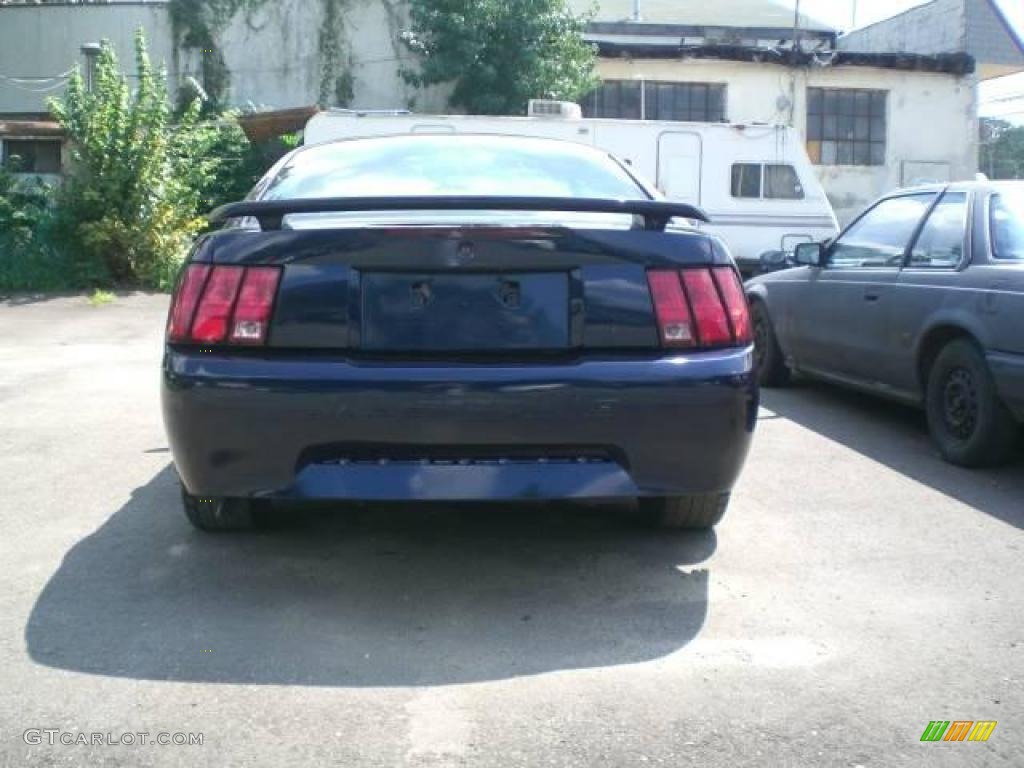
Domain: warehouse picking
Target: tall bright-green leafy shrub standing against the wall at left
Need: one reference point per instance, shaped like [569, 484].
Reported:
[127, 211]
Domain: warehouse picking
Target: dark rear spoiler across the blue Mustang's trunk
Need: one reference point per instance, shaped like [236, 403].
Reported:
[270, 214]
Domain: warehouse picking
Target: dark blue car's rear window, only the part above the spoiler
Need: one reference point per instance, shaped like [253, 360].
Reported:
[452, 165]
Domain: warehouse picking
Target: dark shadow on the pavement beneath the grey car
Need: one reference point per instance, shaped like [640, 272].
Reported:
[897, 436]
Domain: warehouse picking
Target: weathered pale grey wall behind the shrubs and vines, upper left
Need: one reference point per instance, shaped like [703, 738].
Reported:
[273, 54]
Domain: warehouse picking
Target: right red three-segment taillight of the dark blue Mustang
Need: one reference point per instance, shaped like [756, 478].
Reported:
[700, 308]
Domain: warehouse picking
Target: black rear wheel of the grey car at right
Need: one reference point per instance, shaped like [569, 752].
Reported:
[968, 421]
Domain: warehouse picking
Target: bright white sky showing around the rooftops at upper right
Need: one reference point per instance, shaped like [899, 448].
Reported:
[1003, 98]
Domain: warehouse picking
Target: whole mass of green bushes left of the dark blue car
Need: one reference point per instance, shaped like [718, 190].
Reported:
[140, 181]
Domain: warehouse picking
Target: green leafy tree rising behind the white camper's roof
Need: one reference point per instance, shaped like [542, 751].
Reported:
[500, 54]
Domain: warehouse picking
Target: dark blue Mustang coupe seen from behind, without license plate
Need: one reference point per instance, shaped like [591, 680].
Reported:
[458, 318]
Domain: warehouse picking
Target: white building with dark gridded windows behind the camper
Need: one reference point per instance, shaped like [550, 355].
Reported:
[873, 120]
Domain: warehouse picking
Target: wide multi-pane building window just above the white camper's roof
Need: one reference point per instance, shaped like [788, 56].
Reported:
[636, 100]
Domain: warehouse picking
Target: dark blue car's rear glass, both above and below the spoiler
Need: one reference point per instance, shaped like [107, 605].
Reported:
[452, 165]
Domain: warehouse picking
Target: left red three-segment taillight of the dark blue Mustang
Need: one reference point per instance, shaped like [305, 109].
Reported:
[224, 305]
